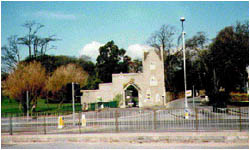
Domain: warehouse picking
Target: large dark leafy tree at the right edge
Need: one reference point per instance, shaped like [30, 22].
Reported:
[227, 60]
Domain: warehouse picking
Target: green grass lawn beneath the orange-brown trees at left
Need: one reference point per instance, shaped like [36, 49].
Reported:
[11, 106]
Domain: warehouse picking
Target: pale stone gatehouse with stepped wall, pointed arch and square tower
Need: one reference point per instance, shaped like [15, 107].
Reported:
[149, 84]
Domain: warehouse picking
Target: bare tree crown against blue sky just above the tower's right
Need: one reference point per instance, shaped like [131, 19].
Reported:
[162, 38]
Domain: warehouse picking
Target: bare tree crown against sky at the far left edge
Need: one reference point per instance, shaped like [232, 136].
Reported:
[10, 54]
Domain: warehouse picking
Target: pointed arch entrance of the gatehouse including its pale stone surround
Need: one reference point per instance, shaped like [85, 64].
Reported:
[131, 95]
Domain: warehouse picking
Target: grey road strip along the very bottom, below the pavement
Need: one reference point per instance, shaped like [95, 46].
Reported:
[128, 146]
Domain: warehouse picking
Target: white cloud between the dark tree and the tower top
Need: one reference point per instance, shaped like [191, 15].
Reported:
[136, 50]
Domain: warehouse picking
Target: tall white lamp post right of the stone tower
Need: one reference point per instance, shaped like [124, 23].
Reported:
[184, 63]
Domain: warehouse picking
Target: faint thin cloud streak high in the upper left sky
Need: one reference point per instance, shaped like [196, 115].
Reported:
[54, 15]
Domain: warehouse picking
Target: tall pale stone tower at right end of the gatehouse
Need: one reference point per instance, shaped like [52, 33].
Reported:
[153, 72]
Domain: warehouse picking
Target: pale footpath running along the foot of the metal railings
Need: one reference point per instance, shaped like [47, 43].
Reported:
[147, 137]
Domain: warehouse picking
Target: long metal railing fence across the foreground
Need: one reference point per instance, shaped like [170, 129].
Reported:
[128, 120]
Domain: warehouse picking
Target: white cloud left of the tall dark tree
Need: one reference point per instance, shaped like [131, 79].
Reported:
[91, 50]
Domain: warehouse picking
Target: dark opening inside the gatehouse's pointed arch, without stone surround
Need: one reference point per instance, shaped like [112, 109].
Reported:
[131, 96]
